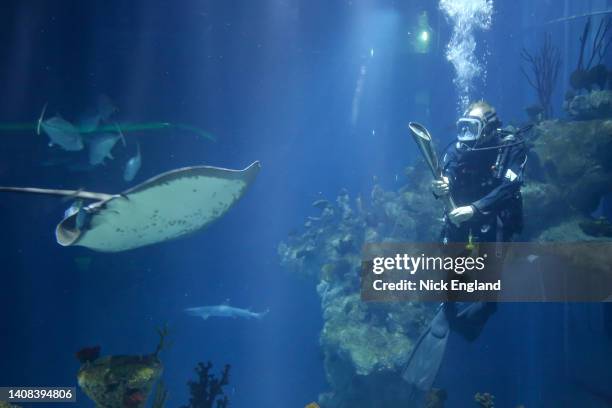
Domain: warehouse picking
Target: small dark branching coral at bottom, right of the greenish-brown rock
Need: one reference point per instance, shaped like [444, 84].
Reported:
[207, 391]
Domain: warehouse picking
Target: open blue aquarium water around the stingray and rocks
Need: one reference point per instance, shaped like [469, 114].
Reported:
[274, 81]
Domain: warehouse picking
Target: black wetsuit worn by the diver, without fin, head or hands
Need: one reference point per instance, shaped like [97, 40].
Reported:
[489, 178]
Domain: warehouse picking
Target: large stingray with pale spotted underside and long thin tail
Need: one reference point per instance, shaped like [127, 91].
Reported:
[165, 207]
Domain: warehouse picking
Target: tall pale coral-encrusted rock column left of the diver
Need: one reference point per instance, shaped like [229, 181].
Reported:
[364, 344]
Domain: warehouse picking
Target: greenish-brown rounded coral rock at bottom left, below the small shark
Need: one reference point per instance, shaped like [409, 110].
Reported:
[121, 381]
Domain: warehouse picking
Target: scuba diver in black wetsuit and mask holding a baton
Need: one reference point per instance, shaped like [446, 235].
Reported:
[482, 171]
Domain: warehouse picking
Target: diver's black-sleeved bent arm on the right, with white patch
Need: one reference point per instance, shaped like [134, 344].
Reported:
[510, 186]
